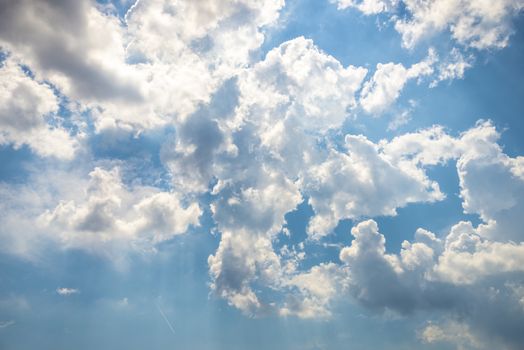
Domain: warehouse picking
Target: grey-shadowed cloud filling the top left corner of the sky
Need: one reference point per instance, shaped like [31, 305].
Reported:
[75, 46]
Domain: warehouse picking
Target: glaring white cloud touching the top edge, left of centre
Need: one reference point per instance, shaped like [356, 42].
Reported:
[210, 42]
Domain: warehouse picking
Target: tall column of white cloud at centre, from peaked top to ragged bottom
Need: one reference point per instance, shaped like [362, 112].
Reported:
[296, 91]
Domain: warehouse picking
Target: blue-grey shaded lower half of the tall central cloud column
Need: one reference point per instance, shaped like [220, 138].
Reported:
[248, 215]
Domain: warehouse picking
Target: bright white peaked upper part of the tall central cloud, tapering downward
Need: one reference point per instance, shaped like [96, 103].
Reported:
[296, 94]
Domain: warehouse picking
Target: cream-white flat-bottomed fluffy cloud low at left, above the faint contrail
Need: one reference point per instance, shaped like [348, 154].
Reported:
[109, 212]
